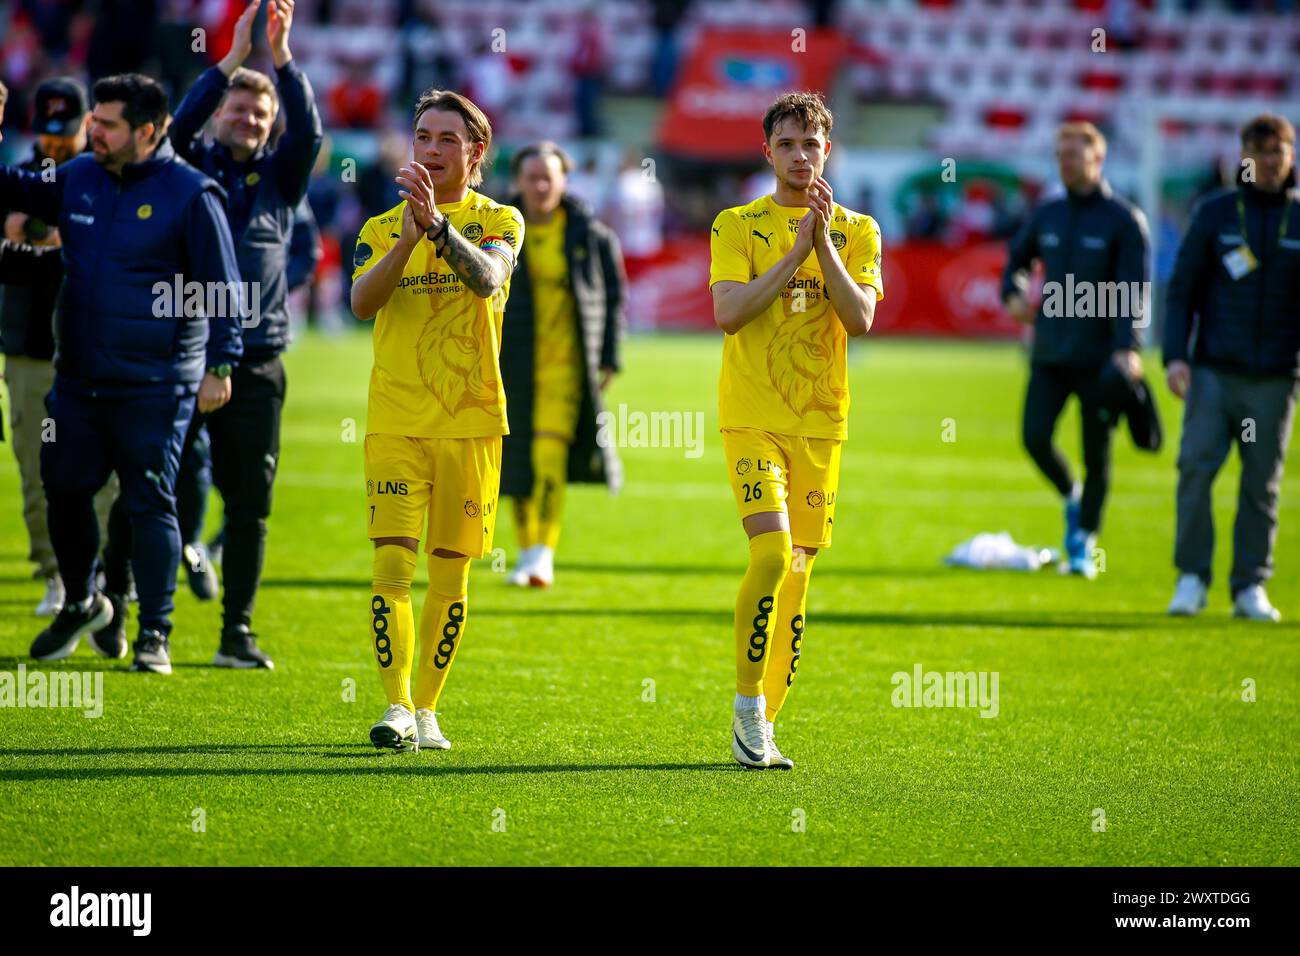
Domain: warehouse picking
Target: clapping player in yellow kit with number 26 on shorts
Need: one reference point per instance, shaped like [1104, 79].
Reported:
[794, 276]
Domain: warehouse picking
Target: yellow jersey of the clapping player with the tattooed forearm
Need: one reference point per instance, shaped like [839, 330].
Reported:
[436, 370]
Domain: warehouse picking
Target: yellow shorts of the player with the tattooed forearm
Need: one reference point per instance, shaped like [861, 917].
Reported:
[447, 487]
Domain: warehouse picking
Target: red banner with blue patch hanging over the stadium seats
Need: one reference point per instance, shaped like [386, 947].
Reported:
[730, 81]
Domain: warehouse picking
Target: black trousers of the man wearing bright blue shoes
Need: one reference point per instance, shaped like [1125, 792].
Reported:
[1050, 390]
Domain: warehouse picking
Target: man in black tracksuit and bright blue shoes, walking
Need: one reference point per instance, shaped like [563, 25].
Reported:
[1097, 256]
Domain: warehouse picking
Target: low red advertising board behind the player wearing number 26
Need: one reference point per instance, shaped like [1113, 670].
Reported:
[930, 291]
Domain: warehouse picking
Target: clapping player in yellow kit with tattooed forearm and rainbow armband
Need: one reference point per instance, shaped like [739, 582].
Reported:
[435, 274]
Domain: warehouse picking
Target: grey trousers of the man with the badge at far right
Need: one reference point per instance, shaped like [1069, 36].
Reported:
[1255, 414]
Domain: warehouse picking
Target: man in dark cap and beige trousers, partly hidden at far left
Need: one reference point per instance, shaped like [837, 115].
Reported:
[60, 120]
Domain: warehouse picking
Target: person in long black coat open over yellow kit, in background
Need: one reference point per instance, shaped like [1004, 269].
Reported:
[560, 352]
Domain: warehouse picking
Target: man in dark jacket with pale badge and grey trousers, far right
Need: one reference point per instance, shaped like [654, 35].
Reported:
[1233, 353]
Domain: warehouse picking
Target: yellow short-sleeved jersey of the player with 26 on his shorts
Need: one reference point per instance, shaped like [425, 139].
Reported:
[787, 370]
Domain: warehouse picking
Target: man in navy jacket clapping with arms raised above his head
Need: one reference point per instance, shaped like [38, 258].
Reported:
[265, 188]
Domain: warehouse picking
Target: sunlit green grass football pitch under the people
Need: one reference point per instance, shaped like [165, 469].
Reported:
[561, 759]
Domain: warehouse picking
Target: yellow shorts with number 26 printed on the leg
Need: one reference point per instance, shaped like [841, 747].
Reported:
[786, 473]
